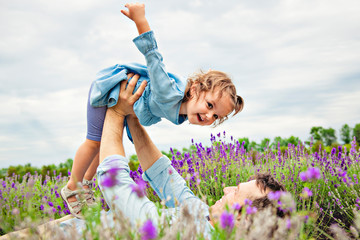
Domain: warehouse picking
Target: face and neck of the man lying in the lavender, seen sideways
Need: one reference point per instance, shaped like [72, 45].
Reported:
[236, 194]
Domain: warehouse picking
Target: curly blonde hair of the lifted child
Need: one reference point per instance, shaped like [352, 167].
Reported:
[209, 81]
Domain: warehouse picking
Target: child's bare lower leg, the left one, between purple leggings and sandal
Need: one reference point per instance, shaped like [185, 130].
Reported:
[83, 158]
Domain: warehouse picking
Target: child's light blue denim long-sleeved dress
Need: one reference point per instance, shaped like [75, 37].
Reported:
[163, 94]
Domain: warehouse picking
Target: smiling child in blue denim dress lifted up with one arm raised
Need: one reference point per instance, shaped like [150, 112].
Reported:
[204, 99]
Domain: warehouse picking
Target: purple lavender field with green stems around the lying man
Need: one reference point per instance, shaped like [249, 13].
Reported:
[323, 200]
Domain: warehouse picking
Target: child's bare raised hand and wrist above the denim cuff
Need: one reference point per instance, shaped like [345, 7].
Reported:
[136, 12]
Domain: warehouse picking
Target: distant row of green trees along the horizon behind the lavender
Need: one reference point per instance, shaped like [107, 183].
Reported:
[326, 138]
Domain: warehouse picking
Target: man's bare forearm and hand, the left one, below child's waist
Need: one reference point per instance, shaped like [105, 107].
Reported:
[112, 135]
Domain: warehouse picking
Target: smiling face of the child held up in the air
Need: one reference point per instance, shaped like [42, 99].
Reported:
[207, 107]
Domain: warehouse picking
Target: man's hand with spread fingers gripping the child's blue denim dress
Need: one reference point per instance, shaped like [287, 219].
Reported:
[127, 99]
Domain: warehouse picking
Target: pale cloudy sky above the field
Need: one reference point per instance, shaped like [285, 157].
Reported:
[295, 62]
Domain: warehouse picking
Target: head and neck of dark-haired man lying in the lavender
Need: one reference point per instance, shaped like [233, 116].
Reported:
[255, 190]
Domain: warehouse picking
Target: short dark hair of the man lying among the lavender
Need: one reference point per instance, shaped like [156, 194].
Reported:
[266, 181]
